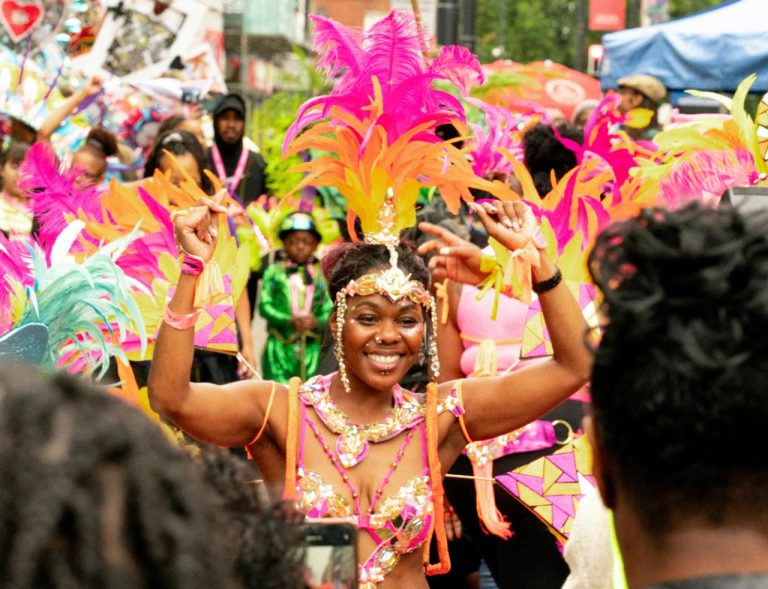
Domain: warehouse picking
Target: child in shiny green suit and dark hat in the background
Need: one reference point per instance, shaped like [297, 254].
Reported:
[294, 302]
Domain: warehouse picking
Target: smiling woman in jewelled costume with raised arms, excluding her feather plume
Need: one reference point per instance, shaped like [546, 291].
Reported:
[344, 430]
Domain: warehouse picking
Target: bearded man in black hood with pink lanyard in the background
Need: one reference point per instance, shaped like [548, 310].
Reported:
[243, 170]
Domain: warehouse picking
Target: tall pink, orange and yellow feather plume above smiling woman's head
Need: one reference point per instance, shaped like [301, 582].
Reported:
[377, 128]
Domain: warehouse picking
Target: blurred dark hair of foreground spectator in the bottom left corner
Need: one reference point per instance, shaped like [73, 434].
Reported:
[94, 495]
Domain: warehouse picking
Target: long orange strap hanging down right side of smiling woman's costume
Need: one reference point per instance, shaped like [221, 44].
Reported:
[436, 481]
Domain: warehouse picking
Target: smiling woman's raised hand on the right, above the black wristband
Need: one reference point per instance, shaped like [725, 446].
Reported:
[511, 223]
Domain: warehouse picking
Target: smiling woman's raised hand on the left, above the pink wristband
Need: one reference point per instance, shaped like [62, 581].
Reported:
[195, 227]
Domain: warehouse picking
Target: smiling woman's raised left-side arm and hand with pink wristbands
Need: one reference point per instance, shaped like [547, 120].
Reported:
[228, 415]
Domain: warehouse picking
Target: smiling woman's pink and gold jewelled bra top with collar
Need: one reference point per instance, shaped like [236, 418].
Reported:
[398, 523]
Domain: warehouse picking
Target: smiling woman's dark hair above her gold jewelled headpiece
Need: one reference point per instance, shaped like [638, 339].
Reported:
[348, 261]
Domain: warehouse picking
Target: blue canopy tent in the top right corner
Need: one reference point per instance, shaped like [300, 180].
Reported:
[711, 50]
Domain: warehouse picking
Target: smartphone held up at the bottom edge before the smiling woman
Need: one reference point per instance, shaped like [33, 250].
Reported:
[330, 554]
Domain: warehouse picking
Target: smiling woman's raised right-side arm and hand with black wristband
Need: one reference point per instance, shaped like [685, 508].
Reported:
[497, 405]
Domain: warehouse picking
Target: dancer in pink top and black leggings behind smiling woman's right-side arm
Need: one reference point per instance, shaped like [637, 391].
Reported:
[517, 547]
